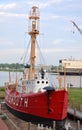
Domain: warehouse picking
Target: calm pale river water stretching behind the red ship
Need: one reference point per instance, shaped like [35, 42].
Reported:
[75, 81]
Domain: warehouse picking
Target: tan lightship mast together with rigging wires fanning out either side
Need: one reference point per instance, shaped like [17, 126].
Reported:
[33, 31]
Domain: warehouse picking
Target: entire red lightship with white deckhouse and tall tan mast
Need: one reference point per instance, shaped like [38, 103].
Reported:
[34, 99]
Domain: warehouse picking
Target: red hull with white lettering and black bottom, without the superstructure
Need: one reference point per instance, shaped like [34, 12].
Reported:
[39, 107]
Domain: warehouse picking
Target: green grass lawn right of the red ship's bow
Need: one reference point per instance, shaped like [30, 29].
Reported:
[75, 97]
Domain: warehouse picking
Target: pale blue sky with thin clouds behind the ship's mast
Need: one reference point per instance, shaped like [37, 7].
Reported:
[57, 40]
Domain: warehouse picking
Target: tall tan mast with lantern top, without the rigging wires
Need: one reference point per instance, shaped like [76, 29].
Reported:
[33, 32]
